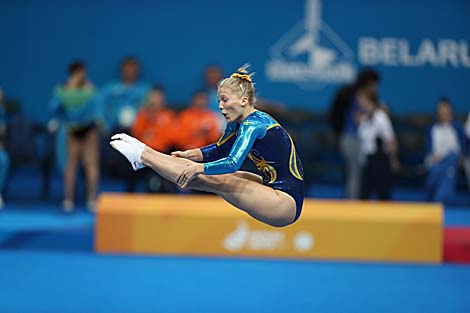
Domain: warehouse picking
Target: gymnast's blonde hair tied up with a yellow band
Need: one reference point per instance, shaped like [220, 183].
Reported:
[241, 84]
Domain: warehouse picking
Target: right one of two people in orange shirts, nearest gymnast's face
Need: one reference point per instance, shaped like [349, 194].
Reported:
[198, 125]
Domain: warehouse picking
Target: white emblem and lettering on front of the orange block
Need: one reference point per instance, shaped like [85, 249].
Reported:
[257, 240]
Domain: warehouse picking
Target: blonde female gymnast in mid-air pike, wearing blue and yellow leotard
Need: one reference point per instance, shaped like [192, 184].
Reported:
[274, 198]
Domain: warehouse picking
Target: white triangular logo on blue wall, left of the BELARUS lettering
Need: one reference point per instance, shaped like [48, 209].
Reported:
[311, 54]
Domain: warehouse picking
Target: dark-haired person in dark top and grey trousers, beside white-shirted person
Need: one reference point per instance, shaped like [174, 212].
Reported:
[344, 118]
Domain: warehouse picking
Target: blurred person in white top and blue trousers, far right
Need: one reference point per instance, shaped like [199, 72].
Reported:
[445, 148]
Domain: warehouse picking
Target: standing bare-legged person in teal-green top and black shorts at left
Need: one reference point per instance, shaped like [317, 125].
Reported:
[74, 103]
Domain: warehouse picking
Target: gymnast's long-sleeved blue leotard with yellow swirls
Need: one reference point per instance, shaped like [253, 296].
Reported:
[260, 138]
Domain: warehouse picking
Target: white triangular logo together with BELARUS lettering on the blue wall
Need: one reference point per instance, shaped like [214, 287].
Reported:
[311, 54]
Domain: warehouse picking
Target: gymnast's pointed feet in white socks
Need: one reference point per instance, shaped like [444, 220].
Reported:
[130, 147]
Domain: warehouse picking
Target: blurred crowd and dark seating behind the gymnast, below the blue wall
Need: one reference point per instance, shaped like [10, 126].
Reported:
[357, 145]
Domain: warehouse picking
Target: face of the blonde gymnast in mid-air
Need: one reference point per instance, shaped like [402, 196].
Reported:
[232, 107]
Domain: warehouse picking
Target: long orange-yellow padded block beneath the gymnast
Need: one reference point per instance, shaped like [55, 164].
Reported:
[208, 226]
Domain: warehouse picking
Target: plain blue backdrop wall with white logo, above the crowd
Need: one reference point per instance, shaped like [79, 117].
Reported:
[301, 50]
